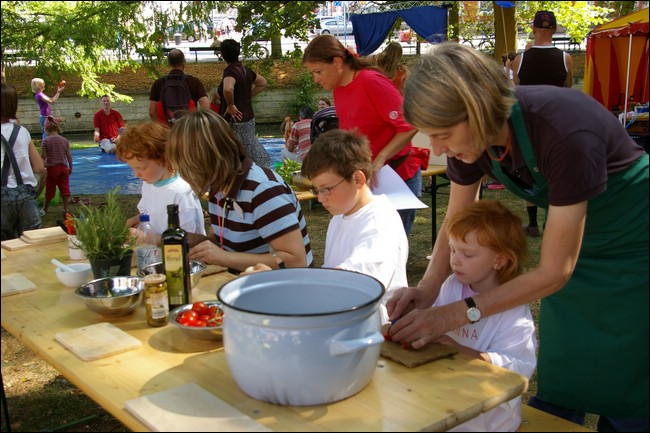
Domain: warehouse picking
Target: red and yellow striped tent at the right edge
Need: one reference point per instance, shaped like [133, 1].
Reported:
[611, 47]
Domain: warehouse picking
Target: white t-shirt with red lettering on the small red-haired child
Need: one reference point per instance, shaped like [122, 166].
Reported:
[509, 339]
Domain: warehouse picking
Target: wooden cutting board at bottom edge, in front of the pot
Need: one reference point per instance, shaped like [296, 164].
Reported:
[189, 407]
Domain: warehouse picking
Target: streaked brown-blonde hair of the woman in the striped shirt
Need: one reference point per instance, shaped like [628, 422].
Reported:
[205, 151]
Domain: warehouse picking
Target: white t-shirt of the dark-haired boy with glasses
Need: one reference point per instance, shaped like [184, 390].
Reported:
[371, 241]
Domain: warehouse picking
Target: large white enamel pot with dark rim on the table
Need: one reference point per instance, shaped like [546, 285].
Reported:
[302, 336]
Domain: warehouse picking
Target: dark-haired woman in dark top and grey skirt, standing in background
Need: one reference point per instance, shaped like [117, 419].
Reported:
[236, 91]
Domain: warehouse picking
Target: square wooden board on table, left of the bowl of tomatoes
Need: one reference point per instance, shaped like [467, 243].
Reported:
[97, 341]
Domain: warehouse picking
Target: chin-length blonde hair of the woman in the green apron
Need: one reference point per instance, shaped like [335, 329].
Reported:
[454, 83]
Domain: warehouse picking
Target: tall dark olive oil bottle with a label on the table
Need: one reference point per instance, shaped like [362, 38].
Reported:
[176, 261]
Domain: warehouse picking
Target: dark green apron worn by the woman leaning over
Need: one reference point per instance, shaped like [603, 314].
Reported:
[593, 353]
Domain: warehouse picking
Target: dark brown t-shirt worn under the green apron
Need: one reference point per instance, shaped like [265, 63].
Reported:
[576, 141]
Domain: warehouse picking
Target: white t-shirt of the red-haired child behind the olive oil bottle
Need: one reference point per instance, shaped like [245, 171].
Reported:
[175, 190]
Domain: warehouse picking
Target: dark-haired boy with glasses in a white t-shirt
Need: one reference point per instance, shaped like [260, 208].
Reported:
[365, 233]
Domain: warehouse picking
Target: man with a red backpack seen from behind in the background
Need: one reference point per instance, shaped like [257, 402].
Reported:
[177, 93]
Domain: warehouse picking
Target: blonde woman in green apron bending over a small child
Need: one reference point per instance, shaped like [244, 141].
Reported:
[561, 150]
